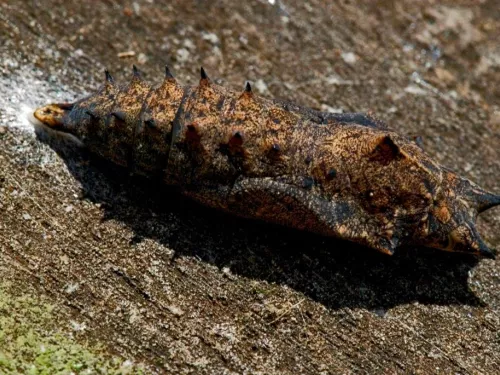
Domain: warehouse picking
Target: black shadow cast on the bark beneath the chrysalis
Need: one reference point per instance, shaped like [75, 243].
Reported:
[333, 272]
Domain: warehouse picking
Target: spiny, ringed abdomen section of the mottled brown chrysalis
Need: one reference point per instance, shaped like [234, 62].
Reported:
[200, 136]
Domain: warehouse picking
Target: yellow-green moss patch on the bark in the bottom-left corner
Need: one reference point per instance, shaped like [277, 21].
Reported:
[32, 344]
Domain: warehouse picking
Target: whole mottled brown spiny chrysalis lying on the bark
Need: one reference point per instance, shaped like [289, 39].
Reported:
[341, 175]
